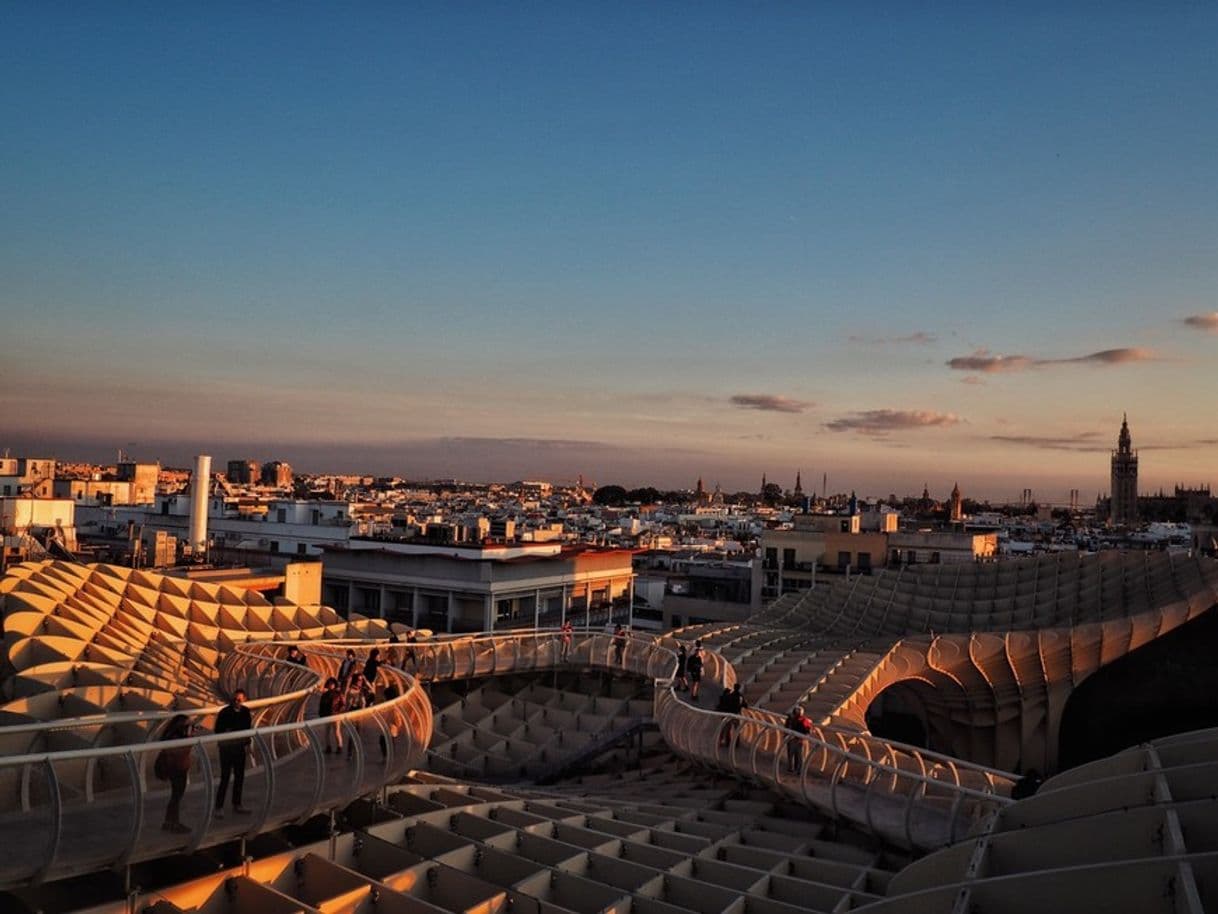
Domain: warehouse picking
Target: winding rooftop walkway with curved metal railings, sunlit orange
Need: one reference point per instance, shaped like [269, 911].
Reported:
[85, 810]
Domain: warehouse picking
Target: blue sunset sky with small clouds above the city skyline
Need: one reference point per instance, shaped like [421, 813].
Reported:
[644, 243]
